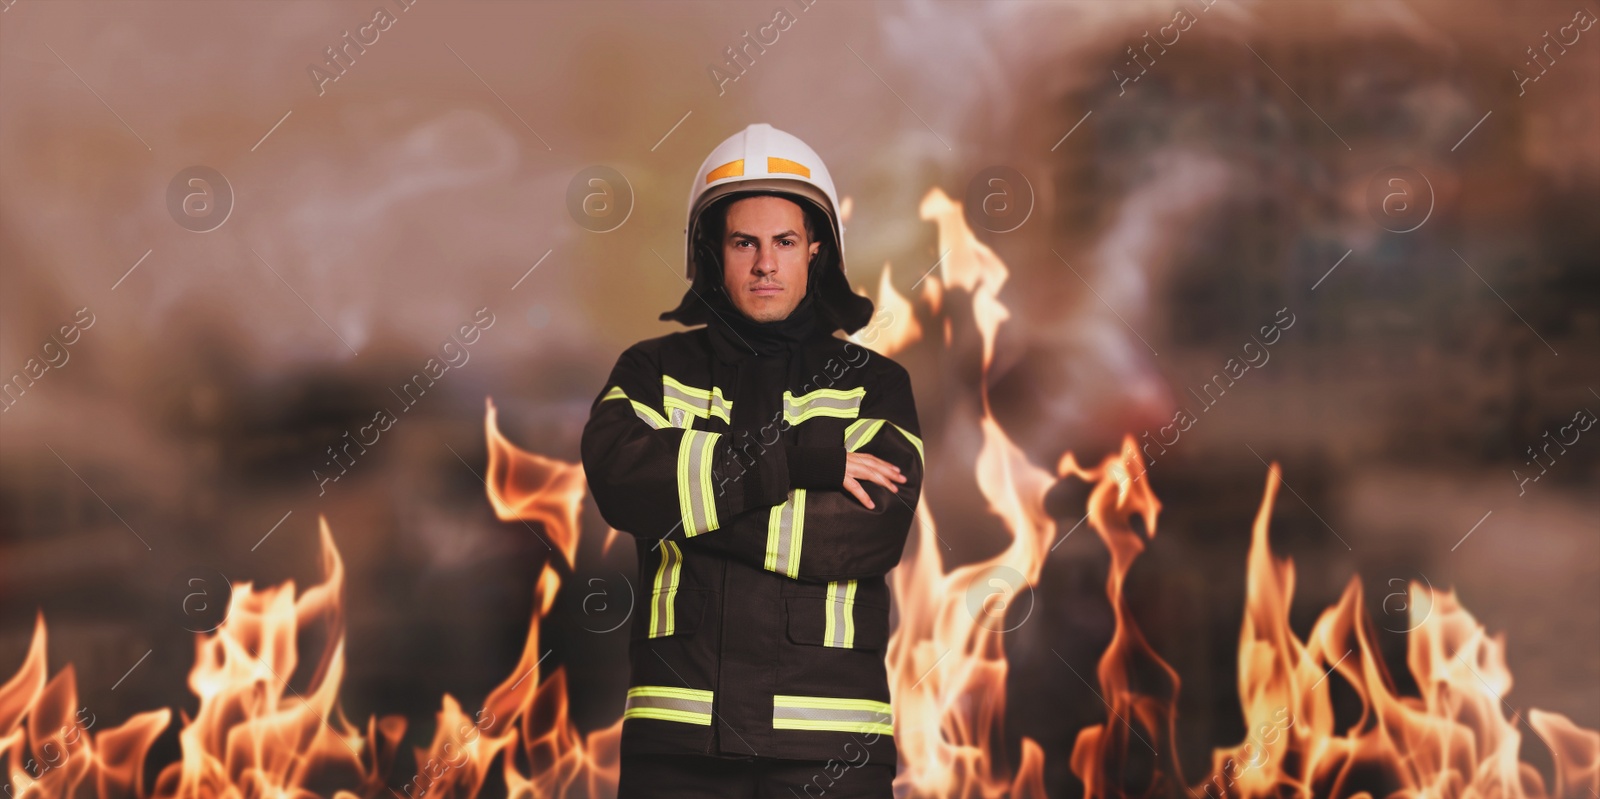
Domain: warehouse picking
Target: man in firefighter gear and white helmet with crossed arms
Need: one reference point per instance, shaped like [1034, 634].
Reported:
[769, 473]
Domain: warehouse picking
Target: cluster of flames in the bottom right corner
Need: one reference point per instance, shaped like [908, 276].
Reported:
[1458, 739]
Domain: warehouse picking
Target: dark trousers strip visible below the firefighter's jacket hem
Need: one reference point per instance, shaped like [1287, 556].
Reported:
[700, 776]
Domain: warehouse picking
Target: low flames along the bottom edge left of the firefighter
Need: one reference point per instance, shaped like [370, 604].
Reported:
[255, 734]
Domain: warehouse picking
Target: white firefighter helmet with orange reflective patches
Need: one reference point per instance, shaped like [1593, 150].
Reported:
[762, 158]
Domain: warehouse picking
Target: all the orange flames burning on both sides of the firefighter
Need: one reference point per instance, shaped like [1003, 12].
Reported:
[265, 729]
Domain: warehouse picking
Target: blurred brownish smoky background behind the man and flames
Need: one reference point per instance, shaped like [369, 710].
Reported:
[233, 235]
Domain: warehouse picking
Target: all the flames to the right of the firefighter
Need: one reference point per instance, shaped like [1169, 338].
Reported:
[948, 669]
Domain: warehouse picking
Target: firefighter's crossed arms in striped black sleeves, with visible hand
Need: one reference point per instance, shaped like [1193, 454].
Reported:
[767, 507]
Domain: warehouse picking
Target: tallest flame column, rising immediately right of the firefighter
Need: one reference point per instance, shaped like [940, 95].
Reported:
[948, 662]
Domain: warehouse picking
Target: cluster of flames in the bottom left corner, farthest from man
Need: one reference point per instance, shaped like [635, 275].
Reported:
[254, 734]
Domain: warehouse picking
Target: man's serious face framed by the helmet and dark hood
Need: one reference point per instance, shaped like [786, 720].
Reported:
[766, 257]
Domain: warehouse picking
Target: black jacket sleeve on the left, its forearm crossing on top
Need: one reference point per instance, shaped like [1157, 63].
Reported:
[655, 480]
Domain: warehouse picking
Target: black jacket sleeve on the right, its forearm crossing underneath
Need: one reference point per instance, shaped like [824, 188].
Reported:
[823, 536]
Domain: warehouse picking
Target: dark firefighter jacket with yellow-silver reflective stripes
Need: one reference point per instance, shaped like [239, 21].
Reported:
[762, 617]
